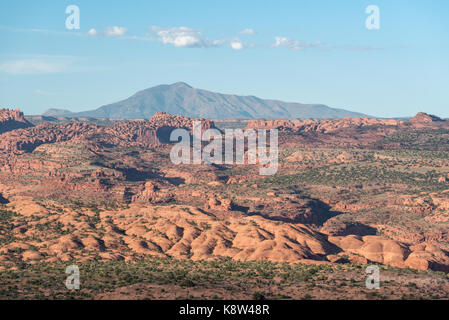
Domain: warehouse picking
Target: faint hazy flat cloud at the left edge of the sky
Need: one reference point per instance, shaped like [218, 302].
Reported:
[36, 66]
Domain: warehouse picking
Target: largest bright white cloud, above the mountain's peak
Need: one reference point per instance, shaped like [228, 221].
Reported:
[182, 37]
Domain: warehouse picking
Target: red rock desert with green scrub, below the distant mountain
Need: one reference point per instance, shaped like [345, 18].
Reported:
[103, 194]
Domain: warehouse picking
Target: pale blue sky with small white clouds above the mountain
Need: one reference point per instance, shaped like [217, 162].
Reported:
[301, 51]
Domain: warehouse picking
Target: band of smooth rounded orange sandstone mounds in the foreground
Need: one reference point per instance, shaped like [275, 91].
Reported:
[188, 232]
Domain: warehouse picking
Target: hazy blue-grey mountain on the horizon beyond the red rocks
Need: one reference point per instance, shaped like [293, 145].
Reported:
[181, 99]
